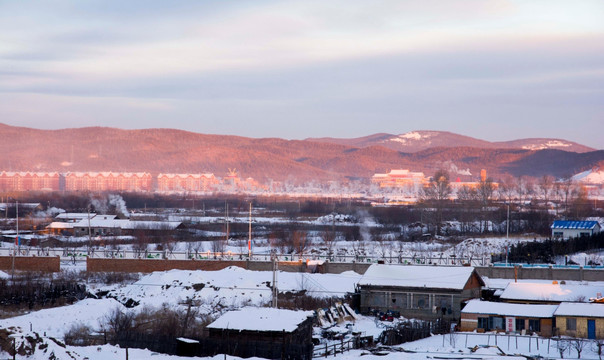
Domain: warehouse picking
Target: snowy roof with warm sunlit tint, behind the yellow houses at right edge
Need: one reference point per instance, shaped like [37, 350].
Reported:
[550, 292]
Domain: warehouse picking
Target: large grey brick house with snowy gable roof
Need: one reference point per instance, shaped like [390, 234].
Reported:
[425, 292]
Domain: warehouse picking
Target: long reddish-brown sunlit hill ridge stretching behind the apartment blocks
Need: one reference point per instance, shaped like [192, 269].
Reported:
[177, 151]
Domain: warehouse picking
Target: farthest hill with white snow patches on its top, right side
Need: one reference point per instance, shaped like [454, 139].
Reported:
[415, 141]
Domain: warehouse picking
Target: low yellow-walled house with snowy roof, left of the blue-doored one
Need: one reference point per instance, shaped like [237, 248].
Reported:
[513, 318]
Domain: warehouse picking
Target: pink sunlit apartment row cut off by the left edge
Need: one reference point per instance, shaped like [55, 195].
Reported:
[29, 181]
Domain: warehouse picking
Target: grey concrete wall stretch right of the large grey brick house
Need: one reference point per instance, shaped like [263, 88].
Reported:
[548, 273]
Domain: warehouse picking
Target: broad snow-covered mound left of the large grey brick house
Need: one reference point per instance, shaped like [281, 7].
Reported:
[229, 288]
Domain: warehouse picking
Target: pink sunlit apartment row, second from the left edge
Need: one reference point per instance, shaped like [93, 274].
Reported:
[107, 181]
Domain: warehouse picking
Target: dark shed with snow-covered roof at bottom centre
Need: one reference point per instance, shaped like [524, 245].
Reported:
[263, 332]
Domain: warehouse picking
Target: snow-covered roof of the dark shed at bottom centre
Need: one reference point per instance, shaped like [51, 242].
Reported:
[261, 319]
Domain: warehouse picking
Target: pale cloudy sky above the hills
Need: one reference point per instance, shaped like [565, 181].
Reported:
[495, 70]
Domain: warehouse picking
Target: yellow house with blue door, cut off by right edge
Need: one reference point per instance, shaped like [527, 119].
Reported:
[584, 320]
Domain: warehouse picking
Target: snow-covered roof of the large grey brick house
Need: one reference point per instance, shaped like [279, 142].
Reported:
[441, 277]
